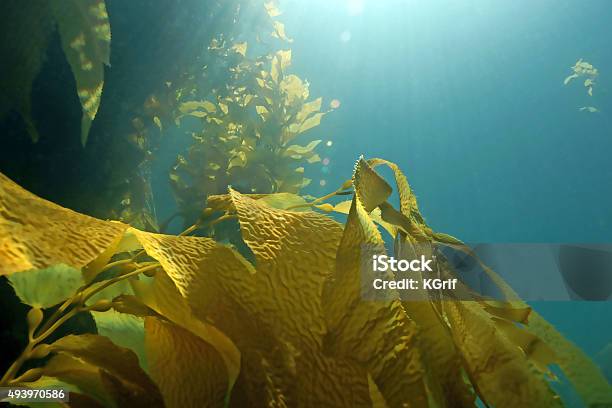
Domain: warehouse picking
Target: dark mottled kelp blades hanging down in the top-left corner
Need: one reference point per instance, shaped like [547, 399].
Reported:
[85, 34]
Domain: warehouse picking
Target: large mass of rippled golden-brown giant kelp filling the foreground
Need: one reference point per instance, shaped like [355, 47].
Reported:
[285, 325]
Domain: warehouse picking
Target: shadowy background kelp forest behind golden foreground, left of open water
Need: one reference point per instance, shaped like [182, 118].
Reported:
[133, 88]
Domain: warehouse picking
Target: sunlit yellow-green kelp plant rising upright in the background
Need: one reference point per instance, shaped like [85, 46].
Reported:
[248, 125]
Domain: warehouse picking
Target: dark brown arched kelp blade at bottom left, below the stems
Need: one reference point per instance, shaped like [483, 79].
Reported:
[118, 366]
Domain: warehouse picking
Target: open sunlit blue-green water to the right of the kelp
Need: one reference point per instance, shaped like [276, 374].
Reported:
[468, 98]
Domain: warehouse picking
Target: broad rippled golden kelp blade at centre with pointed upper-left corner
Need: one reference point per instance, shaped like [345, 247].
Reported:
[294, 255]
